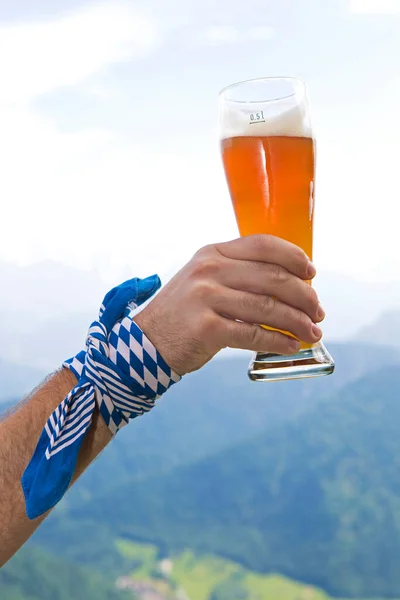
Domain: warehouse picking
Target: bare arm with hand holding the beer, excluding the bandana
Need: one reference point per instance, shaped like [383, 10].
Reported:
[212, 303]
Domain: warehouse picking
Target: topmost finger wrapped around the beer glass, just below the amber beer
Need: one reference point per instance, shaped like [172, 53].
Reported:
[270, 249]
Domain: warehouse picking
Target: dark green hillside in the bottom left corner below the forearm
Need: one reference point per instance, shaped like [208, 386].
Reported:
[35, 575]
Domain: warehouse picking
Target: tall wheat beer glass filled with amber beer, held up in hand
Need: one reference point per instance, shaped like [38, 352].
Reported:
[268, 153]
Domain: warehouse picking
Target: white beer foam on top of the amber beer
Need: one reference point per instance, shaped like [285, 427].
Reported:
[264, 119]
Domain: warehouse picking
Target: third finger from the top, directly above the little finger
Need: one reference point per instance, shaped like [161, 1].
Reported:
[265, 310]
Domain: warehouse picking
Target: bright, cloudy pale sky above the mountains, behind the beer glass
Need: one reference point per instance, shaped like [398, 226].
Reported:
[108, 118]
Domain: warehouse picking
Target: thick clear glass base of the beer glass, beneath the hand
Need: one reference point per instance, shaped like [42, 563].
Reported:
[309, 362]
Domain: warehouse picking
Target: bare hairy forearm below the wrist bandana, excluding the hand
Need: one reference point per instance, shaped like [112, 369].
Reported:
[19, 434]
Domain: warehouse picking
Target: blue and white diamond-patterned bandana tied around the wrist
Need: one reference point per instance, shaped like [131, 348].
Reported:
[120, 371]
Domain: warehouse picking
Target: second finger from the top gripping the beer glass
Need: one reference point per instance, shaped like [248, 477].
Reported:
[272, 280]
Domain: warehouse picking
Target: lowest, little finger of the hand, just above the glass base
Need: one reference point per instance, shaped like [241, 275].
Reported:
[253, 337]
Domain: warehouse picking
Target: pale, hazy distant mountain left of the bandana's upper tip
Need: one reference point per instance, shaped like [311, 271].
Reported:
[57, 302]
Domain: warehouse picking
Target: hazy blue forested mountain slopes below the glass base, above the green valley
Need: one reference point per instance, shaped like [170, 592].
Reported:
[274, 477]
